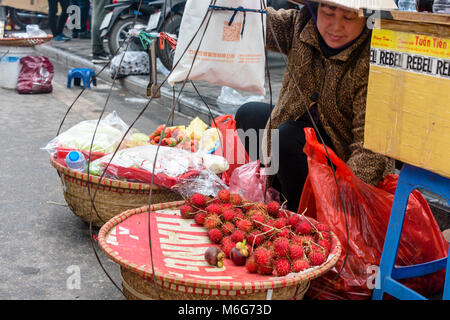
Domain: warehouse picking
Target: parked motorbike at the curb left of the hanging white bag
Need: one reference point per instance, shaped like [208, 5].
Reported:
[120, 18]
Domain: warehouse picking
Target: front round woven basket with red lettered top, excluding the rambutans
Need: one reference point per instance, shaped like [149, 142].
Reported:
[178, 247]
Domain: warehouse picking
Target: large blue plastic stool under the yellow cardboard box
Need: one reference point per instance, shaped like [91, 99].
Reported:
[410, 178]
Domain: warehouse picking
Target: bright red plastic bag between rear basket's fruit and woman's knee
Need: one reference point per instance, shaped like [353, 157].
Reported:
[233, 149]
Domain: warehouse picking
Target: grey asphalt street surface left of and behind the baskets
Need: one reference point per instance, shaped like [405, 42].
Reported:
[44, 246]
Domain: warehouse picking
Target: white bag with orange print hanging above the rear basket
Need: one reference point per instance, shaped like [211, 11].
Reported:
[225, 57]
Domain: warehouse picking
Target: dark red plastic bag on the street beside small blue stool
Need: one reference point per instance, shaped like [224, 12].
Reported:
[36, 75]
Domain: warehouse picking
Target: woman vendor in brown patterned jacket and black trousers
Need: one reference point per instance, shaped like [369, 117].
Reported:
[328, 49]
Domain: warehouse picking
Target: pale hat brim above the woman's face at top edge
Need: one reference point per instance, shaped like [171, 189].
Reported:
[356, 5]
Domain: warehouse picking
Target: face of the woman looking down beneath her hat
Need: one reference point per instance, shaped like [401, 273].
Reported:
[338, 26]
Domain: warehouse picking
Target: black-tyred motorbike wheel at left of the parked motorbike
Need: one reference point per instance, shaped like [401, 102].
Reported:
[119, 33]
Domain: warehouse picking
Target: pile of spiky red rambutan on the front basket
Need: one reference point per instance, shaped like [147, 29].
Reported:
[277, 241]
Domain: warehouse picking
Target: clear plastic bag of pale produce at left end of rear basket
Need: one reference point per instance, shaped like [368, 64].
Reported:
[79, 137]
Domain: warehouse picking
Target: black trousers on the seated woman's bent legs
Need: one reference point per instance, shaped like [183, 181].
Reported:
[293, 166]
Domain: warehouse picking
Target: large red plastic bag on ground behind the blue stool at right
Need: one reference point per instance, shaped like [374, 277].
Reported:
[368, 210]
